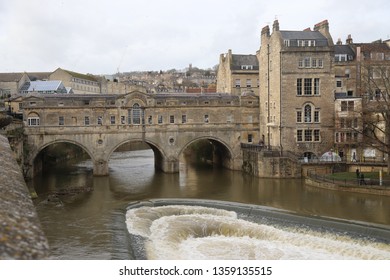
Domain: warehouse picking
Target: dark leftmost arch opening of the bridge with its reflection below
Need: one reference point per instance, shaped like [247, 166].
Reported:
[62, 172]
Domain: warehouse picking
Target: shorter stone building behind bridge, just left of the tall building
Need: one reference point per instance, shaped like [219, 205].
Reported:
[238, 74]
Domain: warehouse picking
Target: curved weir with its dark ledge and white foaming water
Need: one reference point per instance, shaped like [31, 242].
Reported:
[208, 229]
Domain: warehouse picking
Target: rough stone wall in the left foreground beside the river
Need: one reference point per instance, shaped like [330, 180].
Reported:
[21, 236]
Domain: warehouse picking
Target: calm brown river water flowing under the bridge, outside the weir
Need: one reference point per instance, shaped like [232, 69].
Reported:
[91, 225]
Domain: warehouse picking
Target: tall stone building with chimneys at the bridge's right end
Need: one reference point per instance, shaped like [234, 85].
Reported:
[297, 90]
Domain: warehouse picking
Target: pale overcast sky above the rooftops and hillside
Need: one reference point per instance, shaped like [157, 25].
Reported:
[102, 37]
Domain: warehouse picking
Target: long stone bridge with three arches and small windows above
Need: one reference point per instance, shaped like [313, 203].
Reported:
[168, 123]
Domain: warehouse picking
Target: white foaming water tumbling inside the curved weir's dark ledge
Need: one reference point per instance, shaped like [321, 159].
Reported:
[195, 232]
